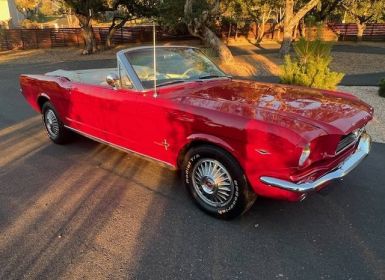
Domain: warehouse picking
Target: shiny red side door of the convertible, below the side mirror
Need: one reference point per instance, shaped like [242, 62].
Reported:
[101, 111]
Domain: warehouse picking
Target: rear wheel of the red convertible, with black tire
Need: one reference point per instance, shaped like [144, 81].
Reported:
[53, 125]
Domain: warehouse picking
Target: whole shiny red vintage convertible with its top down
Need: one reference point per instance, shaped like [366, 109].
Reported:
[232, 140]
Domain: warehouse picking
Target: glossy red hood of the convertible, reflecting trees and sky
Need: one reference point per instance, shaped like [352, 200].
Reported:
[333, 112]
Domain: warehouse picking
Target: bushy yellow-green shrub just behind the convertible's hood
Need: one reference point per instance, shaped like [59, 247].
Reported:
[310, 67]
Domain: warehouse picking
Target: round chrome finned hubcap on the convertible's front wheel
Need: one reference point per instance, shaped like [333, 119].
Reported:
[212, 182]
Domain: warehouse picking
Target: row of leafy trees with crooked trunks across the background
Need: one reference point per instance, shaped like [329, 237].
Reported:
[204, 18]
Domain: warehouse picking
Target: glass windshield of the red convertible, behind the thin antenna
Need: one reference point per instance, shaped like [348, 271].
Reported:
[173, 65]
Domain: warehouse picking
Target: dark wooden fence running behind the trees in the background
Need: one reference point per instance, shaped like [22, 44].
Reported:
[51, 37]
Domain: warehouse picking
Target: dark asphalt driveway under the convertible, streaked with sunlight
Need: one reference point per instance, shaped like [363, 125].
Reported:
[85, 210]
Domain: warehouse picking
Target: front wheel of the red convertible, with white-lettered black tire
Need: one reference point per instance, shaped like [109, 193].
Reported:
[216, 182]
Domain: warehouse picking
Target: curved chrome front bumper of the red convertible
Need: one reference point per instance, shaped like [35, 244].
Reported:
[342, 170]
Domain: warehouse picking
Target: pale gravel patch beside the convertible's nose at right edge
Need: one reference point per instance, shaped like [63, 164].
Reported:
[376, 127]
